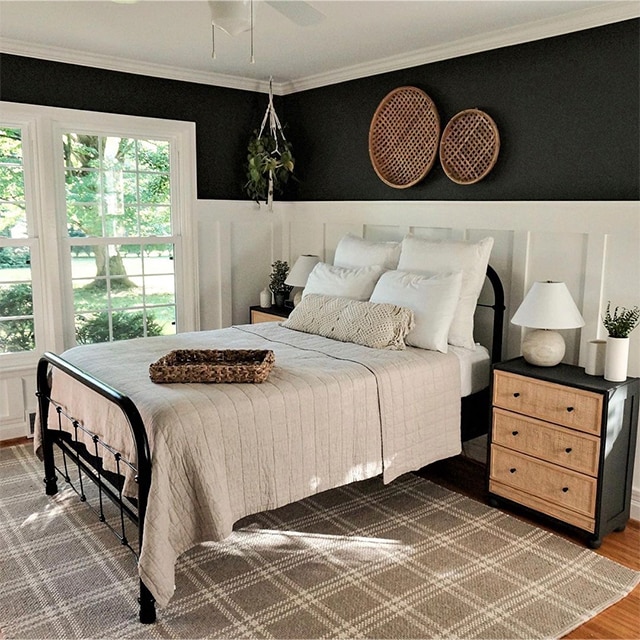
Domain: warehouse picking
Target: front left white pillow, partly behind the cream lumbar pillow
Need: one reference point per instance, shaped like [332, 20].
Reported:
[356, 284]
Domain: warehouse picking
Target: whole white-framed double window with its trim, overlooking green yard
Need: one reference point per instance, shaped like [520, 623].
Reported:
[96, 235]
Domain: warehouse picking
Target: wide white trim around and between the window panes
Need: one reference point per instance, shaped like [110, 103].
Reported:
[44, 186]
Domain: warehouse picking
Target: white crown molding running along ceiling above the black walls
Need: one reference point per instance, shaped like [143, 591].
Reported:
[615, 11]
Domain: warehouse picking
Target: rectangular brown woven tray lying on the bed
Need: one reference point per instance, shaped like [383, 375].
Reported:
[213, 365]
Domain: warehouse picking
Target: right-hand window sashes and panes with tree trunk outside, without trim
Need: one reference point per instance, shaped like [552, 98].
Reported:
[119, 223]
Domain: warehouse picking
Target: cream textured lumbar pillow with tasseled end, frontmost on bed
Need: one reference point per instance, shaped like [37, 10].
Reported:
[379, 326]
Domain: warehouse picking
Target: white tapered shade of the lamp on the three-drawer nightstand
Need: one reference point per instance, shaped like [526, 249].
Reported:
[548, 305]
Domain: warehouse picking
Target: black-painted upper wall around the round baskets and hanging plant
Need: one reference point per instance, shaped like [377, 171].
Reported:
[567, 109]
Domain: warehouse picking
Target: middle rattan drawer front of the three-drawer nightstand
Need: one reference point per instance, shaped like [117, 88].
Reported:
[570, 449]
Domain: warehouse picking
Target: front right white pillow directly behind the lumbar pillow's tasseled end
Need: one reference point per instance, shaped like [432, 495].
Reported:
[433, 300]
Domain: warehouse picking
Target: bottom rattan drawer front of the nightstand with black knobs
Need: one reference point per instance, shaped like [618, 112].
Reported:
[549, 482]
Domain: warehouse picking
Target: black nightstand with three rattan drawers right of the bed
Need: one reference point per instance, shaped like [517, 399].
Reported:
[562, 443]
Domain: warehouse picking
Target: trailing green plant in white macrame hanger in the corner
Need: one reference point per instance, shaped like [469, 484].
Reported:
[270, 159]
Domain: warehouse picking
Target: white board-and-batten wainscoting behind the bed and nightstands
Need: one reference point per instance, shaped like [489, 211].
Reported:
[592, 246]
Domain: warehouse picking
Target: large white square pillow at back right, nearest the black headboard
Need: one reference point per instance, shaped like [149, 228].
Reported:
[427, 256]
